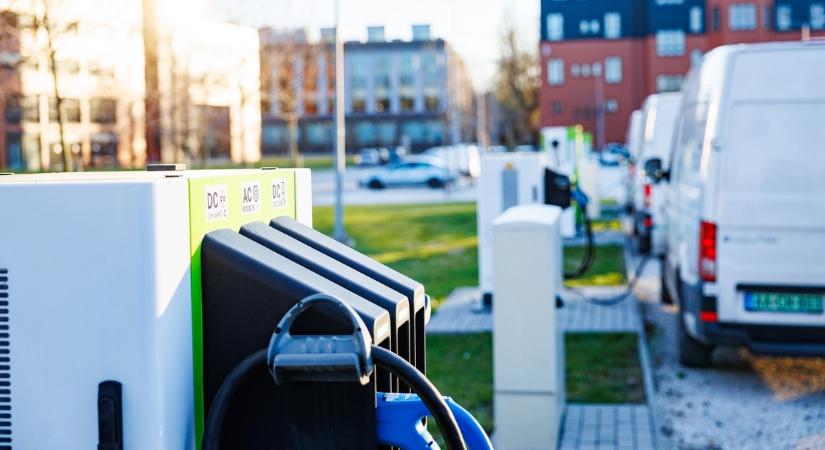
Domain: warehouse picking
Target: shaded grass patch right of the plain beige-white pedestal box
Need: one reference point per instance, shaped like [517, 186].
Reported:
[603, 368]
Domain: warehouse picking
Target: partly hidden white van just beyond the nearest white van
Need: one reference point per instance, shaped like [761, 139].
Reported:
[660, 112]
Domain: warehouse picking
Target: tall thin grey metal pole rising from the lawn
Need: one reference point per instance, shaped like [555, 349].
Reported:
[340, 130]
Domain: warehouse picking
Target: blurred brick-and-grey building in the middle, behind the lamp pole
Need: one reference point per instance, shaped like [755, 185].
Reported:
[414, 93]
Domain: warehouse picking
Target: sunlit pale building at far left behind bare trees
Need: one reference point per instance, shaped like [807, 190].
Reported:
[207, 75]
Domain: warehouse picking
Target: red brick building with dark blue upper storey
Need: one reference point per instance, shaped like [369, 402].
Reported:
[601, 58]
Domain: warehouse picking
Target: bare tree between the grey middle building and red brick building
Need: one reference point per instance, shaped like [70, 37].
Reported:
[517, 86]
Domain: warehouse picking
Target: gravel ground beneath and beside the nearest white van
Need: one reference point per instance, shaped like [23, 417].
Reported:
[743, 402]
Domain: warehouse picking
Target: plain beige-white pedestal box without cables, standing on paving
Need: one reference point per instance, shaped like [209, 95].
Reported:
[528, 346]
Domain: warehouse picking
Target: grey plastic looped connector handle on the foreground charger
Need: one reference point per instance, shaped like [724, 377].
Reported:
[320, 357]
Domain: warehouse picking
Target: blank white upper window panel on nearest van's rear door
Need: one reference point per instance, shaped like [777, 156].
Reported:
[775, 148]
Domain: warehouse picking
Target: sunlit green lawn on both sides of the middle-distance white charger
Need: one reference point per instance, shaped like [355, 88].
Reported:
[437, 244]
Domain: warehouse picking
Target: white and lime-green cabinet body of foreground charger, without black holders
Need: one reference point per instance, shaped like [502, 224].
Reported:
[100, 280]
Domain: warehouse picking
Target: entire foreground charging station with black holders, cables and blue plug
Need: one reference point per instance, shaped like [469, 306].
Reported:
[131, 301]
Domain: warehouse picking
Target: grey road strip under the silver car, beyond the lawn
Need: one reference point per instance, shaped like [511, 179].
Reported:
[323, 191]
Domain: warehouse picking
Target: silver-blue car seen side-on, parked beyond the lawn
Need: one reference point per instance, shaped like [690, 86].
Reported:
[413, 171]
